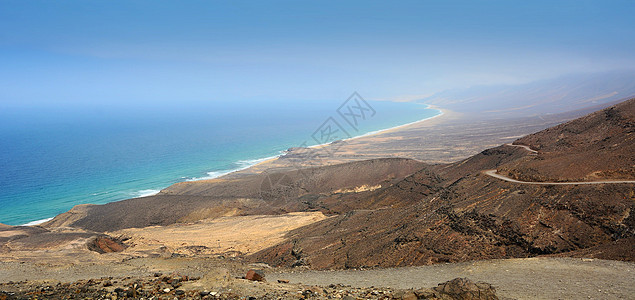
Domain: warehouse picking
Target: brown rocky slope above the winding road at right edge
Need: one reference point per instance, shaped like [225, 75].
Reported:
[597, 146]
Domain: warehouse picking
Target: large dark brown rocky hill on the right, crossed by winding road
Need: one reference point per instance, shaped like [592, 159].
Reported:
[451, 213]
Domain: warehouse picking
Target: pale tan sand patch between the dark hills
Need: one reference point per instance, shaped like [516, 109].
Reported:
[243, 234]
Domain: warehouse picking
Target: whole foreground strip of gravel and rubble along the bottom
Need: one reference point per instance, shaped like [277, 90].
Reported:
[215, 278]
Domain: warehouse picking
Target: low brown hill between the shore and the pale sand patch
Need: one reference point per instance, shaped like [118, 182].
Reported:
[260, 194]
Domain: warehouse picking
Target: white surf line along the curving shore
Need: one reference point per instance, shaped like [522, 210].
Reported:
[250, 163]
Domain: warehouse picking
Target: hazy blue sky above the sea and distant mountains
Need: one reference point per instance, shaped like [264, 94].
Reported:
[149, 52]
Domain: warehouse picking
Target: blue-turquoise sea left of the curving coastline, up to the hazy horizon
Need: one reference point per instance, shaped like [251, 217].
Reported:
[54, 158]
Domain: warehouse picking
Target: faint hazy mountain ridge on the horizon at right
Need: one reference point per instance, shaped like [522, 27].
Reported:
[550, 96]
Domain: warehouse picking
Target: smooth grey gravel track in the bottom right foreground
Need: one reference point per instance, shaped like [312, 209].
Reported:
[532, 278]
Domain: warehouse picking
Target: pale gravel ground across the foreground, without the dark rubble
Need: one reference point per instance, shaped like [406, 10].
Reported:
[533, 278]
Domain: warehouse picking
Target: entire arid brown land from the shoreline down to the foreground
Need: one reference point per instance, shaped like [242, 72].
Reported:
[544, 215]
